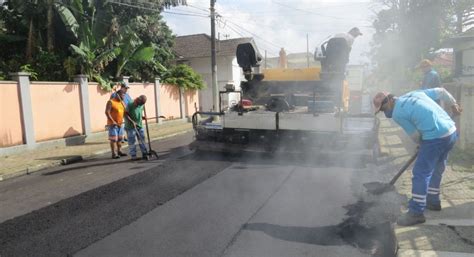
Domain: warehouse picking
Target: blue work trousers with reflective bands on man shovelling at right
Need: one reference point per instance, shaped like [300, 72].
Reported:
[428, 171]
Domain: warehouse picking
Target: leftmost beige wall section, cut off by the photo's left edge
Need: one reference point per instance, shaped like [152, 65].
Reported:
[11, 132]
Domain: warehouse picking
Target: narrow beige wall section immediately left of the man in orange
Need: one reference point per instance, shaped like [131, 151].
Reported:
[97, 100]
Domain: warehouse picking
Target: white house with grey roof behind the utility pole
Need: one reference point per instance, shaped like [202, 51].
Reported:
[195, 51]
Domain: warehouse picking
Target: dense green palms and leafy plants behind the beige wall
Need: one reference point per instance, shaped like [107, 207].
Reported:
[102, 39]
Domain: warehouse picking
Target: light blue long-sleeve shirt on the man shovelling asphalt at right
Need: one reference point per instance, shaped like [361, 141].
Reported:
[418, 113]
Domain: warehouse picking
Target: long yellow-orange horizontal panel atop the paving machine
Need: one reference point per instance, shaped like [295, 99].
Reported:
[282, 74]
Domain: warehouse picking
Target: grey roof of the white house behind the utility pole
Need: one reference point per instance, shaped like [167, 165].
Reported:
[199, 45]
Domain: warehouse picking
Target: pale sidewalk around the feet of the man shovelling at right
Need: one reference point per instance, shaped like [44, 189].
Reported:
[449, 232]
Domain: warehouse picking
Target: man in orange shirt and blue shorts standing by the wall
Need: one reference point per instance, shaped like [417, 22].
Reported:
[114, 112]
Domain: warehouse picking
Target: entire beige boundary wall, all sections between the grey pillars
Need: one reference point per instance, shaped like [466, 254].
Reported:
[57, 109]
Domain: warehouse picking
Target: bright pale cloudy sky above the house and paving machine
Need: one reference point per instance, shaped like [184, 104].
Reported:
[279, 23]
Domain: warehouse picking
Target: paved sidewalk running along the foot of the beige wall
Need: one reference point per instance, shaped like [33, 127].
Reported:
[40, 158]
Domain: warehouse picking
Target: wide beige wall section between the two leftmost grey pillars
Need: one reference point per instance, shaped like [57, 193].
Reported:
[56, 110]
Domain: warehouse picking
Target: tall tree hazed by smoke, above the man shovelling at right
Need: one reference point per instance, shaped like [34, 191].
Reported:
[407, 31]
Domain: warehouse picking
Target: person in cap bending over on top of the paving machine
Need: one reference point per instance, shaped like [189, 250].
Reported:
[337, 49]
